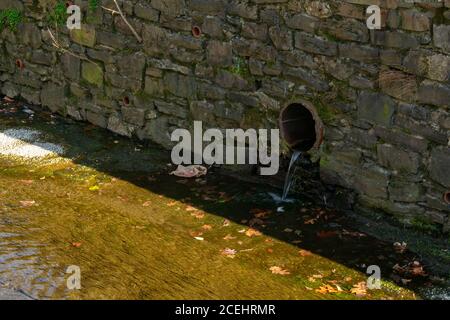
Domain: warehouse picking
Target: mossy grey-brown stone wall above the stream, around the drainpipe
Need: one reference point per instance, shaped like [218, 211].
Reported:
[383, 95]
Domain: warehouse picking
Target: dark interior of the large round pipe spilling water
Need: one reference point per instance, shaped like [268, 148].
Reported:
[298, 127]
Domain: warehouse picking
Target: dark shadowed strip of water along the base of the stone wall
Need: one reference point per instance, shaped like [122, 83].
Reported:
[311, 228]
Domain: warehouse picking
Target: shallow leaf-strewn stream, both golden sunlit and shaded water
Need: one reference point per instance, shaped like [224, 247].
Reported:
[111, 208]
